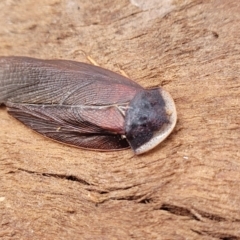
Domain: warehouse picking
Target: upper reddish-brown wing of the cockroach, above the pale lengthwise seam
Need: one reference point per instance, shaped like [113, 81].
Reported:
[35, 81]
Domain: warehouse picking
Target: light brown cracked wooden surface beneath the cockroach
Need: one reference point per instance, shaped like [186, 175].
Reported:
[186, 188]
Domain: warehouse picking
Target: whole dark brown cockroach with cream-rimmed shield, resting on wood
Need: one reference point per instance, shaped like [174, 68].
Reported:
[84, 105]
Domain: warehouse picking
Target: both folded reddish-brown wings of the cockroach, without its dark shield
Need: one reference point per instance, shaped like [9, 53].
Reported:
[71, 102]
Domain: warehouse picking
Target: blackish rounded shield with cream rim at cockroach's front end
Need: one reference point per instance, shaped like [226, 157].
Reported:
[150, 118]
